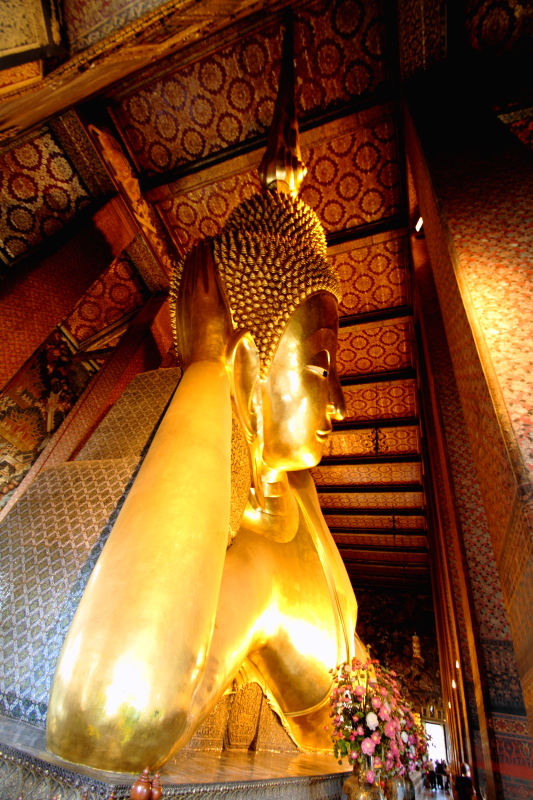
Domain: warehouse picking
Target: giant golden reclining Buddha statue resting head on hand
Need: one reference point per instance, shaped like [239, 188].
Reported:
[173, 610]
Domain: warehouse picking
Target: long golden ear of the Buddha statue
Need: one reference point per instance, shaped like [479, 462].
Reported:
[243, 365]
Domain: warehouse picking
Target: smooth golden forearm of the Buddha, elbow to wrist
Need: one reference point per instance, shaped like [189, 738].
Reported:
[137, 645]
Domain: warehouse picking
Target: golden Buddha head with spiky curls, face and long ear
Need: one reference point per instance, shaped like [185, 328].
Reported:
[282, 294]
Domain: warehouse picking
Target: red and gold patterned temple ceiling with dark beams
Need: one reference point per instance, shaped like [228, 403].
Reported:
[186, 91]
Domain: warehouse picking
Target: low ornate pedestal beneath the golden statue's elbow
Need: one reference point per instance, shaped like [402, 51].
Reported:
[28, 771]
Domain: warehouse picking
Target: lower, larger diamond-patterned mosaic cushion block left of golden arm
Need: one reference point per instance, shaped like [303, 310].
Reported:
[49, 544]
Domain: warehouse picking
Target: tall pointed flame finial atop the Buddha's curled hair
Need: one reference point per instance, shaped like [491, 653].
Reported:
[282, 168]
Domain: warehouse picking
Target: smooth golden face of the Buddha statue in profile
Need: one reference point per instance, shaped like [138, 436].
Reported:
[302, 392]
